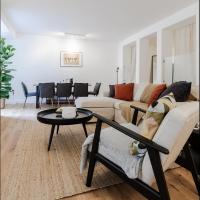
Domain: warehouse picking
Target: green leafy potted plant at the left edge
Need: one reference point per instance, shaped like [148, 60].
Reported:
[6, 52]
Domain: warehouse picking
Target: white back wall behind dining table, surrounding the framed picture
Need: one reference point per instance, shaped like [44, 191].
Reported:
[37, 59]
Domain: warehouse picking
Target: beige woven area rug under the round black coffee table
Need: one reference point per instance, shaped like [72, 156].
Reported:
[36, 174]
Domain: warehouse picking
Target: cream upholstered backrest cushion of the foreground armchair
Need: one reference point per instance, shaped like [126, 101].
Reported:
[173, 134]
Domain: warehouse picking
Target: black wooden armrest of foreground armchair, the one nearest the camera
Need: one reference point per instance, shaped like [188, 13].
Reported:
[130, 133]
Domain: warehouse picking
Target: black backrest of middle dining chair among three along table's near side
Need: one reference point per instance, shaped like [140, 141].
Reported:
[64, 89]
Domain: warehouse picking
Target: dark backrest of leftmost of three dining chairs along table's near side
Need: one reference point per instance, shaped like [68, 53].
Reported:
[47, 90]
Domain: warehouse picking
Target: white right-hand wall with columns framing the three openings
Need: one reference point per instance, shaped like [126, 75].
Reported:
[191, 11]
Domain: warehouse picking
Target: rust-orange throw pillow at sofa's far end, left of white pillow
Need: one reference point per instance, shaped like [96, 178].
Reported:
[124, 91]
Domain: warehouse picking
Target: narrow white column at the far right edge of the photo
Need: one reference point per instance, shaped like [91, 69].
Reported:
[197, 48]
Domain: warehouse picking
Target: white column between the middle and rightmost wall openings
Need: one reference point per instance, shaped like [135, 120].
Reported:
[159, 71]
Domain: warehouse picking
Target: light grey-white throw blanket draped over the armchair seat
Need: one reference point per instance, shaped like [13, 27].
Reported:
[114, 146]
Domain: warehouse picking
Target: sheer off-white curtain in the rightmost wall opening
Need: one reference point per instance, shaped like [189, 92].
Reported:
[183, 48]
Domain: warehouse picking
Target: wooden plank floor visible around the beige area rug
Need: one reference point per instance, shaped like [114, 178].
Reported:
[179, 180]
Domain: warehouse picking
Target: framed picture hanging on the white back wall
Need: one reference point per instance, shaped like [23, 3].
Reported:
[70, 59]
